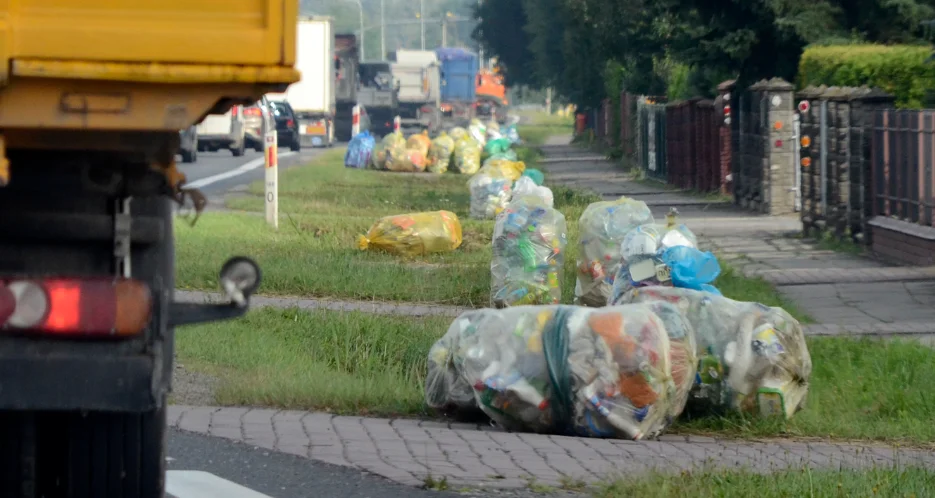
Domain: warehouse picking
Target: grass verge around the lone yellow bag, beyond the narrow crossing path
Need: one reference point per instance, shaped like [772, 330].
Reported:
[325, 206]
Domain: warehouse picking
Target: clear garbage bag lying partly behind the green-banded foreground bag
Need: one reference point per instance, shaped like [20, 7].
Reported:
[752, 358]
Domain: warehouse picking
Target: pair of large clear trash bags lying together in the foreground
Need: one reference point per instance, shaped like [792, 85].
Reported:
[625, 371]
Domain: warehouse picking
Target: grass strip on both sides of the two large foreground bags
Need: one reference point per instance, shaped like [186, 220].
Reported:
[363, 363]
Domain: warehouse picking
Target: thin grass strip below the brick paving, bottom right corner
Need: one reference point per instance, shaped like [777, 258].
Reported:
[902, 482]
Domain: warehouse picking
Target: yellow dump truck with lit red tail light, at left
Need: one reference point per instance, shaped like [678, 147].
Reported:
[93, 94]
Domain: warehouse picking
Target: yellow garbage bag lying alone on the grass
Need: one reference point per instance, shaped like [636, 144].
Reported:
[414, 234]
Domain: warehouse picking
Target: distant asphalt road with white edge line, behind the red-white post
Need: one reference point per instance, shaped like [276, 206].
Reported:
[223, 171]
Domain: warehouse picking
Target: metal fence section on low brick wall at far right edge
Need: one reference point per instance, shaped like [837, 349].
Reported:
[903, 152]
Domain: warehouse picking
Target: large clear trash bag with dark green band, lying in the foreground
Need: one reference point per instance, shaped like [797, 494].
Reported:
[623, 372]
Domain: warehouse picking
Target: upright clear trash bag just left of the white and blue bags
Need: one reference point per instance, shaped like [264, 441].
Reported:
[602, 227]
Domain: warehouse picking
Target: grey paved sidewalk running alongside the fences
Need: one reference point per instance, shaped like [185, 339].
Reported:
[839, 291]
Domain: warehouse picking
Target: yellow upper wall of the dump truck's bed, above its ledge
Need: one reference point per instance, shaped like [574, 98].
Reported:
[247, 32]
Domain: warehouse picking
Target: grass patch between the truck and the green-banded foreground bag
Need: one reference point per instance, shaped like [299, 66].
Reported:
[339, 362]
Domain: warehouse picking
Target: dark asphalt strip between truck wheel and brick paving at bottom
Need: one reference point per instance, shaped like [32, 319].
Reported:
[286, 476]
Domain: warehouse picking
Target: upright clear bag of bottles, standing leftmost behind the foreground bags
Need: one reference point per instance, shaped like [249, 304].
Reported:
[529, 240]
